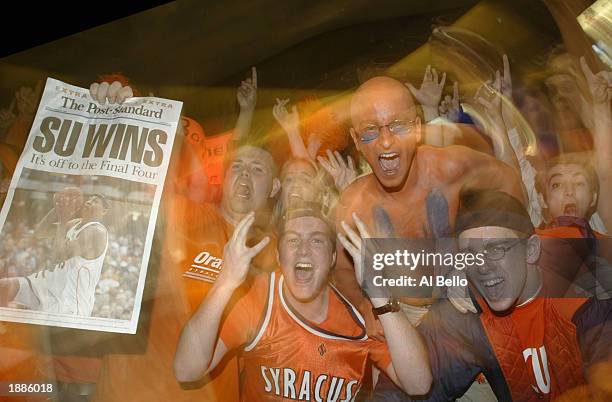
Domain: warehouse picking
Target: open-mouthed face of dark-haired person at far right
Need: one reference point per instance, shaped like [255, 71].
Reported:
[568, 192]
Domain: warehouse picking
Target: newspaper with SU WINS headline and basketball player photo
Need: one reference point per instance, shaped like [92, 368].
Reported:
[77, 225]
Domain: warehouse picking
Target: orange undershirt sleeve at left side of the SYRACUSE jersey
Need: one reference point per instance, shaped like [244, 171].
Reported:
[245, 312]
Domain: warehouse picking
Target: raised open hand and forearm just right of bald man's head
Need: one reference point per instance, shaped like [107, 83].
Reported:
[429, 95]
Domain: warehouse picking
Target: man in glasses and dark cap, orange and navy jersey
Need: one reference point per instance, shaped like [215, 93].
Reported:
[529, 347]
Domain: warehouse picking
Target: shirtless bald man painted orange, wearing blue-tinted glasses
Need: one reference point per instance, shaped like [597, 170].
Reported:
[387, 131]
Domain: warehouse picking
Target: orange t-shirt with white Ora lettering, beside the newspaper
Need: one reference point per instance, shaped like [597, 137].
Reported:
[193, 229]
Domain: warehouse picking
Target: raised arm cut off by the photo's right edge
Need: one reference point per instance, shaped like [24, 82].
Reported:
[600, 87]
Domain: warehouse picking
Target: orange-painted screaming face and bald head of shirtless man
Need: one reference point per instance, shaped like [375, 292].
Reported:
[385, 128]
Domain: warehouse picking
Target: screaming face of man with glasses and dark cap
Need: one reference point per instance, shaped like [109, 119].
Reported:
[500, 282]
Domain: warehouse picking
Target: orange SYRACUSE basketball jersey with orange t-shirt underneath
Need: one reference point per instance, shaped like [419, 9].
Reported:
[287, 357]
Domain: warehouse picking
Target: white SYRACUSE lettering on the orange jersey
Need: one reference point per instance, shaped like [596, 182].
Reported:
[304, 386]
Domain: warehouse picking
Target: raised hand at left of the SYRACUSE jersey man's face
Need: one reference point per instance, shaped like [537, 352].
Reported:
[237, 255]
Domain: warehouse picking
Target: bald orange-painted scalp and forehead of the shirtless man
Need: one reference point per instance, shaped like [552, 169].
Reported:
[380, 99]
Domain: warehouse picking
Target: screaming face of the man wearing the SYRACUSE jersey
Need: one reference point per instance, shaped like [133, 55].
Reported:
[306, 255]
